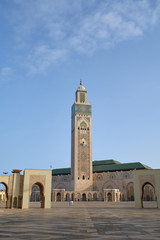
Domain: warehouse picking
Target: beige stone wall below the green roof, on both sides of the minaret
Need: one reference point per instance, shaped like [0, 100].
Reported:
[122, 180]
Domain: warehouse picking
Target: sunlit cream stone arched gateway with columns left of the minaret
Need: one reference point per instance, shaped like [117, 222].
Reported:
[17, 190]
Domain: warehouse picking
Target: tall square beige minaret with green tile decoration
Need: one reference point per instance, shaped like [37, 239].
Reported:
[81, 142]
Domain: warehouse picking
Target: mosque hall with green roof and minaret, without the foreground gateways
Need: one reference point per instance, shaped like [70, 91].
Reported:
[87, 180]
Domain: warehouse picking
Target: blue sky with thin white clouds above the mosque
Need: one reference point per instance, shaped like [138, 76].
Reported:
[46, 47]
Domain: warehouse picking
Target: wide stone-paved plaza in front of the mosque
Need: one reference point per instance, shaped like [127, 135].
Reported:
[83, 220]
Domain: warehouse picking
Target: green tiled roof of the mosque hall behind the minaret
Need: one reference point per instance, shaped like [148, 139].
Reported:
[104, 166]
